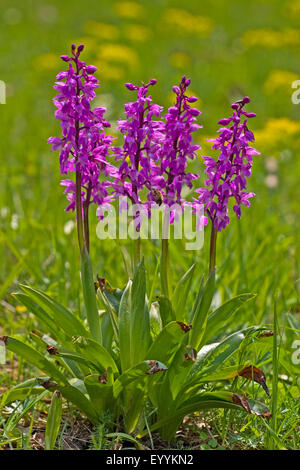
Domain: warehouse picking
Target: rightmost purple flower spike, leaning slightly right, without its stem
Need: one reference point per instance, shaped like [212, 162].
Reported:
[227, 177]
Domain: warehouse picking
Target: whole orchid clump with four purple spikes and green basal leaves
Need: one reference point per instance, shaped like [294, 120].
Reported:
[107, 365]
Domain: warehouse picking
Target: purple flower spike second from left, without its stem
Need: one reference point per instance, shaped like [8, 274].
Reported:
[139, 154]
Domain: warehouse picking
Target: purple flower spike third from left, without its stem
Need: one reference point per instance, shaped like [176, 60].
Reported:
[178, 146]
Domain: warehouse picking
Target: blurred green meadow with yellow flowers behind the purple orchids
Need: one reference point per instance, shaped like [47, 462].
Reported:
[229, 49]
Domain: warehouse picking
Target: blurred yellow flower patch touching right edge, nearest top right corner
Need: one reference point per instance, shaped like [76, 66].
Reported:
[270, 38]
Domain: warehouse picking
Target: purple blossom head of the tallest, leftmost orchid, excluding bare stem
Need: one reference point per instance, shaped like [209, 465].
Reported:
[84, 144]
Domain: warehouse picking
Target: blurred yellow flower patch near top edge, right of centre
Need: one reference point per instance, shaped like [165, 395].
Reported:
[188, 23]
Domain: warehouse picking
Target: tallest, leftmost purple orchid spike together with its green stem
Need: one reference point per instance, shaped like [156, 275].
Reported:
[83, 150]
